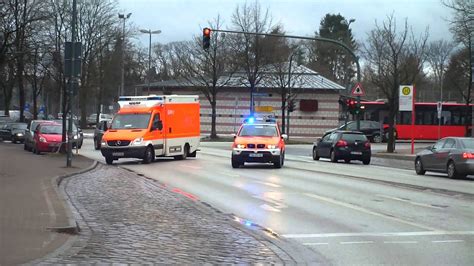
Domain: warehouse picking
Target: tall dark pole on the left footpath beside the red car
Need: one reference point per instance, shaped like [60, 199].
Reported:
[72, 82]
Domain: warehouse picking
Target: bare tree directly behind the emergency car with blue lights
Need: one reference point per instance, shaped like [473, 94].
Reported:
[248, 48]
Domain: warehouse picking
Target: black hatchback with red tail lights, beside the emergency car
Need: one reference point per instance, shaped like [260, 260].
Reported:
[343, 145]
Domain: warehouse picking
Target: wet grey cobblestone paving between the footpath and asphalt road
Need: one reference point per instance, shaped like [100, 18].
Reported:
[126, 218]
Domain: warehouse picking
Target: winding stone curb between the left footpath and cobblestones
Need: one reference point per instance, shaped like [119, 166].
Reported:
[72, 228]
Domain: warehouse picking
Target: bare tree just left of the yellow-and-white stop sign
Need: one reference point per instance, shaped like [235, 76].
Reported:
[393, 58]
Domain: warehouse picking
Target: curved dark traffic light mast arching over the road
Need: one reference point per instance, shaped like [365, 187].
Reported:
[341, 44]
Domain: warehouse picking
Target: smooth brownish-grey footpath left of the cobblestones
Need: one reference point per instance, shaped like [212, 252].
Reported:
[30, 204]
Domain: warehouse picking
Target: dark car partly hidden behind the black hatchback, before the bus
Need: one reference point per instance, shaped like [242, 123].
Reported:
[374, 131]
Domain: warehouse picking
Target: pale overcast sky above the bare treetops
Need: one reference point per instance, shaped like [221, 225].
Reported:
[181, 19]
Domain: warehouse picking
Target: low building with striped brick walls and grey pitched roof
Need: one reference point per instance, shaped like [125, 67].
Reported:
[315, 97]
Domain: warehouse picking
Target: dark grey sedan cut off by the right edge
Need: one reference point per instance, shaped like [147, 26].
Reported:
[452, 155]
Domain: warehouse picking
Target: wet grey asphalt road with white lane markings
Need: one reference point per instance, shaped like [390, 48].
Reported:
[349, 213]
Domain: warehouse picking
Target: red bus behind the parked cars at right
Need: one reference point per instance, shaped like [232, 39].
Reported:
[426, 119]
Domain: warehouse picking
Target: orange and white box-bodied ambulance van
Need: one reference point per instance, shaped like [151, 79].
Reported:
[147, 127]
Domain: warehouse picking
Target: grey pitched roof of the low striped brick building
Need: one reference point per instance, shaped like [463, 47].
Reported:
[273, 76]
